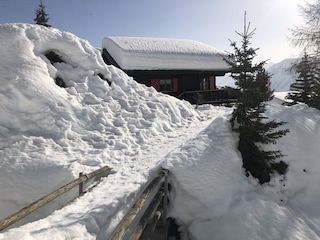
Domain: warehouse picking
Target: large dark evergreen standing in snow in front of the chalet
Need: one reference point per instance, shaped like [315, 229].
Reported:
[248, 118]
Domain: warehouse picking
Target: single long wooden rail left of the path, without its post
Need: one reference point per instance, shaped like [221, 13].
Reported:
[44, 200]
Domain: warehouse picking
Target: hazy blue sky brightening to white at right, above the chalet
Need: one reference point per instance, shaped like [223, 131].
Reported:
[210, 21]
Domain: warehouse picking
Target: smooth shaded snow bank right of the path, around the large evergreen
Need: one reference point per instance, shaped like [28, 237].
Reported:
[212, 198]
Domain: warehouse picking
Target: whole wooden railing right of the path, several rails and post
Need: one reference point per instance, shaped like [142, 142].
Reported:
[142, 218]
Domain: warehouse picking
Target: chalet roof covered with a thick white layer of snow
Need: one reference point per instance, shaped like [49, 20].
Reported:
[136, 53]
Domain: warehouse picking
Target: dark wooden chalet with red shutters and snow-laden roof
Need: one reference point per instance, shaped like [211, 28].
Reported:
[182, 68]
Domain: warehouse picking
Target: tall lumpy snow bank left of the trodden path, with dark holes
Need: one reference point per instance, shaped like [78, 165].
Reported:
[49, 134]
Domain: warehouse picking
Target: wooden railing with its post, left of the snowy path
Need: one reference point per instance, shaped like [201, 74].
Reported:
[83, 182]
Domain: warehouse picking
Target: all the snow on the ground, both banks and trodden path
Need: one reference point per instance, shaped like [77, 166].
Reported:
[49, 134]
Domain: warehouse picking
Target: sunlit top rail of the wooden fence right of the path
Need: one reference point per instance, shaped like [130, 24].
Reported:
[125, 223]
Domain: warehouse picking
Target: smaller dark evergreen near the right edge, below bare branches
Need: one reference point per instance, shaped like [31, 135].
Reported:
[303, 86]
